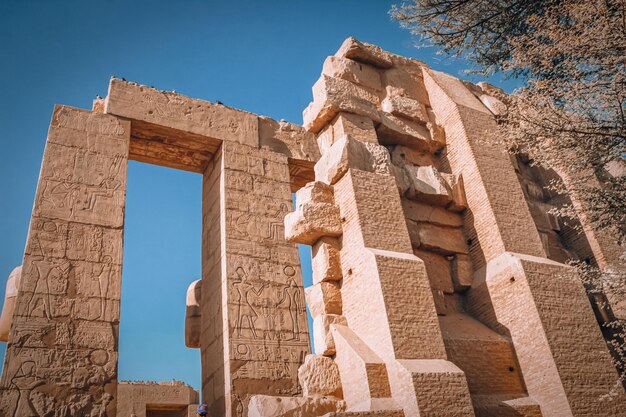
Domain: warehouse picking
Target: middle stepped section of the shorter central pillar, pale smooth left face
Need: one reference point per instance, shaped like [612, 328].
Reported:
[381, 325]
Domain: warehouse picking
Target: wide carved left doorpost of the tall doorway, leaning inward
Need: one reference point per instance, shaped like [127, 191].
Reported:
[62, 350]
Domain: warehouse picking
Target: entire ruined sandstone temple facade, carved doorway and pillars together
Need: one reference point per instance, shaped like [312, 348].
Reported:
[440, 287]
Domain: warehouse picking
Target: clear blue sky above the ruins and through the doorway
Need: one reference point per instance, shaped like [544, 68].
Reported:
[259, 56]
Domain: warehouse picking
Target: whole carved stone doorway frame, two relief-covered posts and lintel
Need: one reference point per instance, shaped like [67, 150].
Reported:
[253, 328]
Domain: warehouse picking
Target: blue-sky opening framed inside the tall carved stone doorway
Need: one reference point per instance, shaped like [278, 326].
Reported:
[162, 247]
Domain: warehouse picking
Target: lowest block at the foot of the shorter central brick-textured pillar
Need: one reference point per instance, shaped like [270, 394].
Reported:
[437, 387]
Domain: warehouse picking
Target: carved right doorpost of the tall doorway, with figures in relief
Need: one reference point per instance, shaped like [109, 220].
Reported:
[254, 332]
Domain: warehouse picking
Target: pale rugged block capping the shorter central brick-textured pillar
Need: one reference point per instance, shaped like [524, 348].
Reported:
[347, 153]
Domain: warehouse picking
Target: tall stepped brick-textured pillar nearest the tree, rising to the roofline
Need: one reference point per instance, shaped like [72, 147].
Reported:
[539, 303]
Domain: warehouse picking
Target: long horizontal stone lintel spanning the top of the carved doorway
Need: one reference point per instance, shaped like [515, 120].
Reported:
[176, 131]
